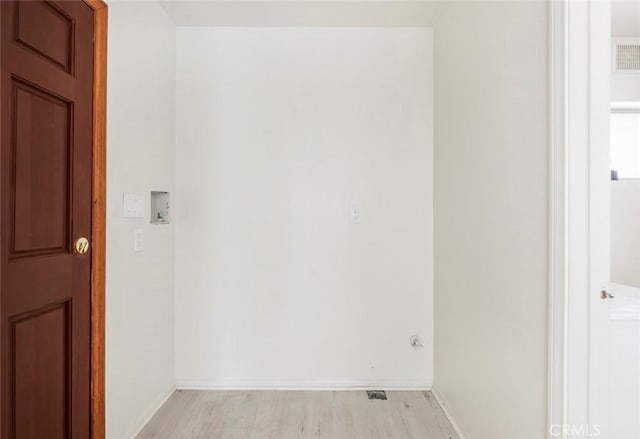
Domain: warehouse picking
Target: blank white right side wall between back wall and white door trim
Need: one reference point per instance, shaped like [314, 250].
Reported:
[491, 215]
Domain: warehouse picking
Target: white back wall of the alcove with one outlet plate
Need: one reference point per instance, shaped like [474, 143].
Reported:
[279, 132]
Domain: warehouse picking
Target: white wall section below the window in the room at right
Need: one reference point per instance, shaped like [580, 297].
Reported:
[625, 233]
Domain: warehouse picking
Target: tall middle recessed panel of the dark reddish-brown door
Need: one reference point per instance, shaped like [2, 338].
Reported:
[41, 177]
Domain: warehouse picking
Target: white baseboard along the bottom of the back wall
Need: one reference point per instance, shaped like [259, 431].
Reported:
[303, 385]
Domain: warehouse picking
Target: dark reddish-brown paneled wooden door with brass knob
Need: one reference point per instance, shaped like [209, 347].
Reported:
[45, 176]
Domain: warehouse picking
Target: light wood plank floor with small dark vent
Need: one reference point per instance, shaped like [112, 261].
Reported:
[298, 414]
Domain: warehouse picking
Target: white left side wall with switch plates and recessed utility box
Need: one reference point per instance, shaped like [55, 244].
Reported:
[140, 158]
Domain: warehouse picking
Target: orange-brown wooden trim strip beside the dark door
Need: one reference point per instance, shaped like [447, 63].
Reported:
[98, 218]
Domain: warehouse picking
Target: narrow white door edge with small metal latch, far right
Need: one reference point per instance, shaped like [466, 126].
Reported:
[601, 296]
